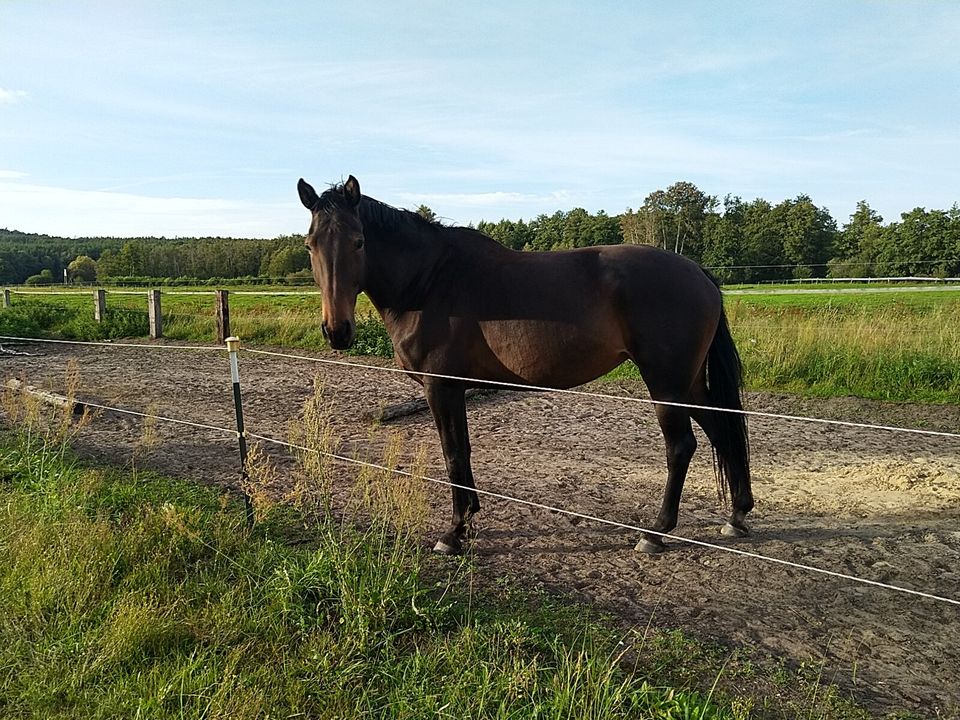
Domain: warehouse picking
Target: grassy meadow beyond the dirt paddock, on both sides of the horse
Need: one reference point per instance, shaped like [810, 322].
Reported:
[884, 343]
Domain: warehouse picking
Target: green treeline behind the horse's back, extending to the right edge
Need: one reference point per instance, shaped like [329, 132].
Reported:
[756, 241]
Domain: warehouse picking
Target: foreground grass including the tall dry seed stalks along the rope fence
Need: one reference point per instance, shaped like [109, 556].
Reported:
[125, 594]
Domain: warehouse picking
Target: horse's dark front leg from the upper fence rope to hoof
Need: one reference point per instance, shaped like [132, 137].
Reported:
[448, 405]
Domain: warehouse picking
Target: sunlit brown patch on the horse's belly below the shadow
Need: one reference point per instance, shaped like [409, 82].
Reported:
[552, 353]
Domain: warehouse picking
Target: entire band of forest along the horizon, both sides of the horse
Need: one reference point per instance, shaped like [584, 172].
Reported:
[739, 241]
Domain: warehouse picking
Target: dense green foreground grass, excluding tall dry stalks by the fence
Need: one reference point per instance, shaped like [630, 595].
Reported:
[151, 599]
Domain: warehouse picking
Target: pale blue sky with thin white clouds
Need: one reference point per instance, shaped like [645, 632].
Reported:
[197, 118]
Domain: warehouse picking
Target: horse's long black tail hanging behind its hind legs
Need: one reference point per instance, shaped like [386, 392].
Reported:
[724, 383]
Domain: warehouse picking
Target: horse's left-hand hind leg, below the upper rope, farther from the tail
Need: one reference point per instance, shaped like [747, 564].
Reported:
[681, 444]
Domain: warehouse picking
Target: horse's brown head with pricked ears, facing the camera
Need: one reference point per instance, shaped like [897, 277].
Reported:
[337, 256]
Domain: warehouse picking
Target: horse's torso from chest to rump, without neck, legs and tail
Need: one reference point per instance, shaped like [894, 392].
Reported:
[557, 318]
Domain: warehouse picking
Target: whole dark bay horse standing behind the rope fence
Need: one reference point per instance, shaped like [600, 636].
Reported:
[456, 302]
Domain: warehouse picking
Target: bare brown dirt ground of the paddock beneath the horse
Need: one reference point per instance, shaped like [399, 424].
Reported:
[879, 505]
